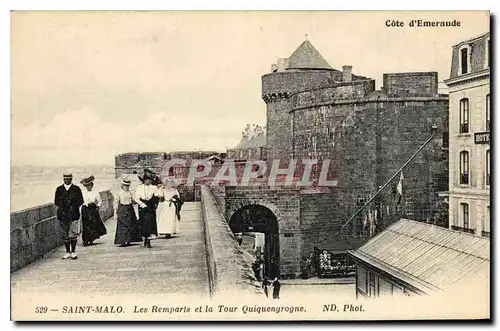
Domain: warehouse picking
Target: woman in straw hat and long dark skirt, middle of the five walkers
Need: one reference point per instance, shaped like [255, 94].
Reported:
[127, 230]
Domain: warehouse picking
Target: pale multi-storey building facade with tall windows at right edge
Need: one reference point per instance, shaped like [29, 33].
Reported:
[469, 147]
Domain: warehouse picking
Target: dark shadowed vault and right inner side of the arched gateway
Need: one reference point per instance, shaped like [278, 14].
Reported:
[258, 218]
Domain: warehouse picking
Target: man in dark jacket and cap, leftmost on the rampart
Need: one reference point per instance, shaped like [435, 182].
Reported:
[69, 199]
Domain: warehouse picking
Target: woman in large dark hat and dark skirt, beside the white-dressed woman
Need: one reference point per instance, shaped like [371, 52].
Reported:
[146, 195]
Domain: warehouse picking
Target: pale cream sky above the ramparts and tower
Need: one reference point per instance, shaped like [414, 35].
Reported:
[86, 86]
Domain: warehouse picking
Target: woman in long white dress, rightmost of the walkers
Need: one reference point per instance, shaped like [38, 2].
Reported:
[168, 222]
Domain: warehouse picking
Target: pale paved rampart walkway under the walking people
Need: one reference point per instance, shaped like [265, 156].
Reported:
[176, 265]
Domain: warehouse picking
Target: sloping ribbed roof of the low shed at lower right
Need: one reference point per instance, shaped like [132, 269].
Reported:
[432, 254]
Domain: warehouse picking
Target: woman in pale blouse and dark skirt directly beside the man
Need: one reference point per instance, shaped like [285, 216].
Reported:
[92, 225]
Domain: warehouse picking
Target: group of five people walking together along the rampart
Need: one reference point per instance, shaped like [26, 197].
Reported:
[159, 207]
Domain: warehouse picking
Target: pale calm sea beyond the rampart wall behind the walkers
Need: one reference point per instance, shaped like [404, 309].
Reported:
[29, 191]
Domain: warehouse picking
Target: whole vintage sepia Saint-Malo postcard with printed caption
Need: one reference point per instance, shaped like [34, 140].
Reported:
[262, 165]
